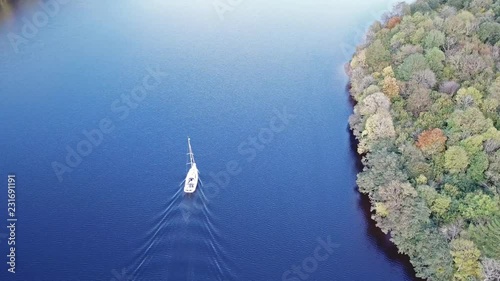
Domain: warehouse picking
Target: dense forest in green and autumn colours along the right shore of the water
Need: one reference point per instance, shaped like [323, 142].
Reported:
[426, 87]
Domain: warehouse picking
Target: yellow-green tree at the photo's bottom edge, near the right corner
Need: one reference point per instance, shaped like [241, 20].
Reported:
[466, 257]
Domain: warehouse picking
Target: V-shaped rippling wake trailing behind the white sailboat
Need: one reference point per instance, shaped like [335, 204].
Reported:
[183, 243]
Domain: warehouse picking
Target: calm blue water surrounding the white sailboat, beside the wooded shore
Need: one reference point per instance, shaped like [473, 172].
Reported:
[261, 93]
